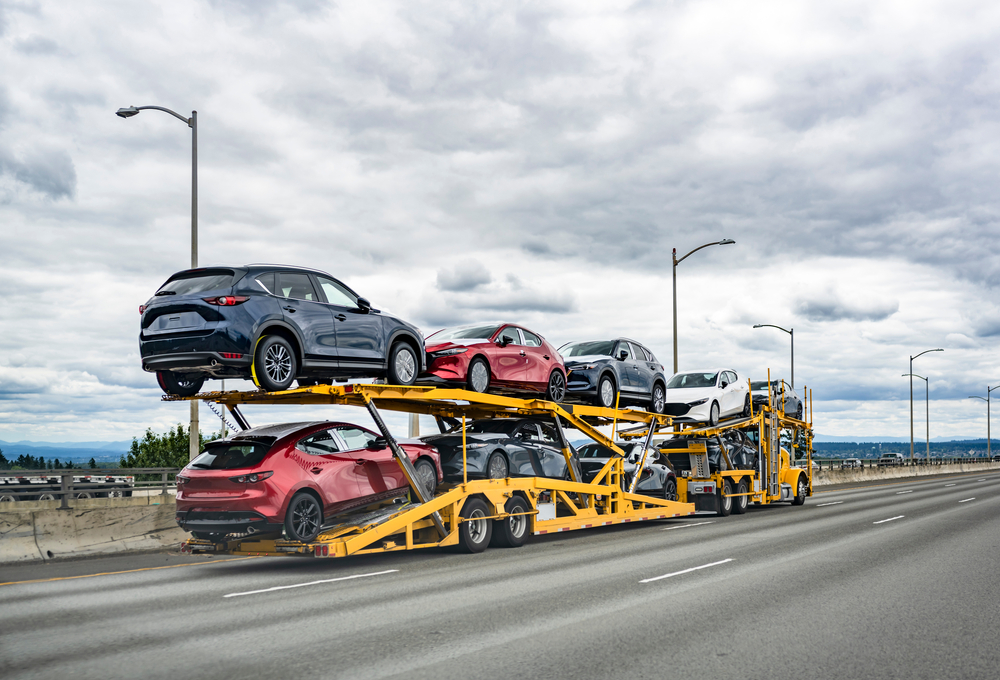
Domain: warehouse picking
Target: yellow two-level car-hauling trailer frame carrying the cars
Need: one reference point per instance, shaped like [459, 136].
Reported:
[549, 505]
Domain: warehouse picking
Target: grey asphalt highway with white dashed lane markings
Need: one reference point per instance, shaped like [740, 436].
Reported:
[892, 581]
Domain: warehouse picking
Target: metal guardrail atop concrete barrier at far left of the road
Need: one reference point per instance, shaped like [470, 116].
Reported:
[65, 485]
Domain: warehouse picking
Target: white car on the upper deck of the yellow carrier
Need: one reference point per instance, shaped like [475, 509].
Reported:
[707, 396]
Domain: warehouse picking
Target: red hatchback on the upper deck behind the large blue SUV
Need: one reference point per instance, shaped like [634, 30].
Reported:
[499, 356]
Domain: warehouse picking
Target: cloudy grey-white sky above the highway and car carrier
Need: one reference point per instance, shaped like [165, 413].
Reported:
[533, 162]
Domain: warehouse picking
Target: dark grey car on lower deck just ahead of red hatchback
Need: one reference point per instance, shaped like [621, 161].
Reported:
[497, 448]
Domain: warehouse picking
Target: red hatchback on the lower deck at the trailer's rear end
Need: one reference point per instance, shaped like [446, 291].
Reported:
[294, 477]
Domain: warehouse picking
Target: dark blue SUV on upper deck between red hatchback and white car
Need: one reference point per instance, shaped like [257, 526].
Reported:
[610, 372]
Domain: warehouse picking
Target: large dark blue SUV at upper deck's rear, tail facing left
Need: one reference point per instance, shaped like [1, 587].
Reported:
[271, 324]
